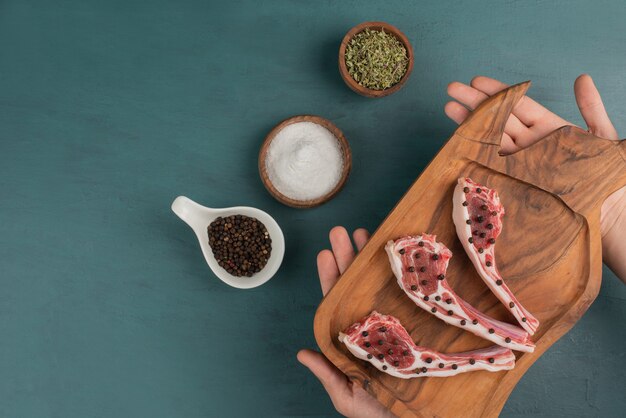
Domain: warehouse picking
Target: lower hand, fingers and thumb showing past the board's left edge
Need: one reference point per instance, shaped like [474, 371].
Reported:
[349, 399]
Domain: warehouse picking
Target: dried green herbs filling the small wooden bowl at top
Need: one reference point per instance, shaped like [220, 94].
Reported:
[376, 59]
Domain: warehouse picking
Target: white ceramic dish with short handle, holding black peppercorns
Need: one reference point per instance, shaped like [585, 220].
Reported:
[199, 217]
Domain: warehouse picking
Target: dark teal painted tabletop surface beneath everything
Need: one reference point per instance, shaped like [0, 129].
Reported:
[111, 109]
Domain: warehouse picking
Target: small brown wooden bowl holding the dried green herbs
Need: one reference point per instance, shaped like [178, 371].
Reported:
[347, 78]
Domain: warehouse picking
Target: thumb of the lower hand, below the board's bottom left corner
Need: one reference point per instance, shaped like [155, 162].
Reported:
[333, 380]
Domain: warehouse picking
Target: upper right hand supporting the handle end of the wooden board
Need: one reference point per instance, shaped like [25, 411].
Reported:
[530, 121]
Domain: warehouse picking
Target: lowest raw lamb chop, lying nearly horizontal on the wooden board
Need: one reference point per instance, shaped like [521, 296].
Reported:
[383, 341]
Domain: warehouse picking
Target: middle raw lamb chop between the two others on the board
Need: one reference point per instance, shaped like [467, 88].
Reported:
[420, 263]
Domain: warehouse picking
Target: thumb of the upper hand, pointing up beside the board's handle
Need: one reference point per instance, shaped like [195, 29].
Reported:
[592, 109]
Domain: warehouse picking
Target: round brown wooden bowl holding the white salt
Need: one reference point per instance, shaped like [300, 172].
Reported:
[345, 149]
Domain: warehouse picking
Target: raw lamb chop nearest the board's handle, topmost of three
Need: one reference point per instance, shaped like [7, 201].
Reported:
[477, 216]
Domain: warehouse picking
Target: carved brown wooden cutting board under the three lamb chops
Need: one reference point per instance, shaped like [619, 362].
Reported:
[549, 253]
